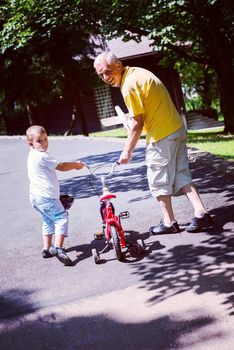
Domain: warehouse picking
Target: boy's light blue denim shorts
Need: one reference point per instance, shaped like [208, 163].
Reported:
[55, 218]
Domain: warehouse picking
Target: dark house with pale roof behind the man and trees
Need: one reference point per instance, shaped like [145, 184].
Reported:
[100, 102]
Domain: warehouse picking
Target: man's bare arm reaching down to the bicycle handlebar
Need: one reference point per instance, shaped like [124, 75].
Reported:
[132, 139]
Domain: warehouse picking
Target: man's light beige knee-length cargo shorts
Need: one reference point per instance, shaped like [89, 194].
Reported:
[167, 164]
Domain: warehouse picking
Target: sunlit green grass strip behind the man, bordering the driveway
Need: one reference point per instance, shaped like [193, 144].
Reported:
[213, 141]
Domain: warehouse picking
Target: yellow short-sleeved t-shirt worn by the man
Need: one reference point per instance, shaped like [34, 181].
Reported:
[145, 94]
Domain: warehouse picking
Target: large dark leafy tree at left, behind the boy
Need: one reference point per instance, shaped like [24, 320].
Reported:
[38, 40]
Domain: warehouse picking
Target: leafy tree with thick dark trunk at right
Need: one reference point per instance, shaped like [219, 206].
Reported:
[195, 30]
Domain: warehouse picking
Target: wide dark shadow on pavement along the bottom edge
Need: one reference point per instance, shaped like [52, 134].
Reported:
[101, 332]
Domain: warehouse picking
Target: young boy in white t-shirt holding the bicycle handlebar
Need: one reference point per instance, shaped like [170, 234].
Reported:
[45, 193]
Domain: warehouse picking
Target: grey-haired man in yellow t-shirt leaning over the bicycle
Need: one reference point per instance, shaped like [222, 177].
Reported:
[153, 111]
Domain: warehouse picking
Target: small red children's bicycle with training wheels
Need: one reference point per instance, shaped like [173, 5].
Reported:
[112, 228]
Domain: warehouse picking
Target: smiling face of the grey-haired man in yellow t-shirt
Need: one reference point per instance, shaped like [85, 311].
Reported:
[110, 73]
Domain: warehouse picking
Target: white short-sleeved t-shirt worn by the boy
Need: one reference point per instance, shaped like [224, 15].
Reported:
[42, 174]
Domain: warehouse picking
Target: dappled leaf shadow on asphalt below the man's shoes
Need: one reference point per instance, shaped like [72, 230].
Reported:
[202, 268]
